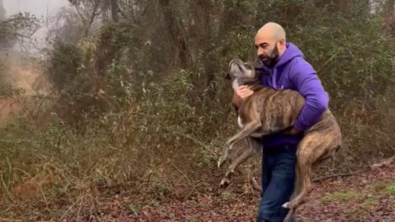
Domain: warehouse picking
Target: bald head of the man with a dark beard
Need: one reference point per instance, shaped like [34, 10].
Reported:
[271, 43]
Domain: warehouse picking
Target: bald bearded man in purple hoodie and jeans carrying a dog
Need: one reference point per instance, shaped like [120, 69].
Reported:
[288, 70]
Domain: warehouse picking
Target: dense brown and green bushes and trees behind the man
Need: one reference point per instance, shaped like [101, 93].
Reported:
[139, 104]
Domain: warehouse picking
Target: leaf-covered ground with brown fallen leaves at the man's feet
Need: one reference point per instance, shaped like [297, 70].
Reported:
[368, 196]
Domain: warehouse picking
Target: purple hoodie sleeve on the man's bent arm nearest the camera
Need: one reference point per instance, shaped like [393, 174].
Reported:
[306, 81]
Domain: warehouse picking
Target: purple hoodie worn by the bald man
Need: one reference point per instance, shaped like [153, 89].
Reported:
[293, 72]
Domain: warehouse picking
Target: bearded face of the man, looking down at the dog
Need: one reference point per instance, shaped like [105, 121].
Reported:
[268, 53]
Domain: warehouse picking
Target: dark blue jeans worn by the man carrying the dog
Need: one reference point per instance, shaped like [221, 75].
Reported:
[278, 176]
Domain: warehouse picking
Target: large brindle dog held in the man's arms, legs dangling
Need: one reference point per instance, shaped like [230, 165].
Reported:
[270, 111]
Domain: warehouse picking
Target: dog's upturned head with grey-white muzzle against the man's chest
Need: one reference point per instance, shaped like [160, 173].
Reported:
[243, 73]
